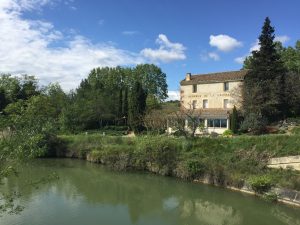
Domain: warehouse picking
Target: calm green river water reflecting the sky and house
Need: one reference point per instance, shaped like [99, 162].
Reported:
[88, 194]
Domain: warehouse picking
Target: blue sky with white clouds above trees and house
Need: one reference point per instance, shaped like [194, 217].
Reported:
[63, 40]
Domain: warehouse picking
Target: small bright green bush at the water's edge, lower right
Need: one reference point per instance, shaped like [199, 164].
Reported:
[261, 184]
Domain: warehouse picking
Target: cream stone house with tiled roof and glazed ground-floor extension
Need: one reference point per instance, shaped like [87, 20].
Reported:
[212, 97]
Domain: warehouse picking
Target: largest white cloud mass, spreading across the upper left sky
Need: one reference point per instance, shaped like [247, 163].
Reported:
[27, 47]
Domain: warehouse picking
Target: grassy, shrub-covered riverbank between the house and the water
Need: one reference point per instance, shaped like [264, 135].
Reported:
[239, 163]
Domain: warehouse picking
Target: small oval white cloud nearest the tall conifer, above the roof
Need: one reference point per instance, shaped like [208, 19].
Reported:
[224, 42]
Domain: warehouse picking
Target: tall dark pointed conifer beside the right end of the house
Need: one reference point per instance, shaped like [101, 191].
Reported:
[263, 90]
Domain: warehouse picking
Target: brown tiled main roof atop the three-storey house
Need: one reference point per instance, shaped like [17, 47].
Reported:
[216, 77]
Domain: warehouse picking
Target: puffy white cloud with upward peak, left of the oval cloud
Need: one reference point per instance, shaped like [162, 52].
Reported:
[167, 51]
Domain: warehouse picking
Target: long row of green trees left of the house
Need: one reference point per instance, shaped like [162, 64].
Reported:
[31, 116]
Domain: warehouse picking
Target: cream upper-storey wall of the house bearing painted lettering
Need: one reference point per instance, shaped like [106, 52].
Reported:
[213, 92]
